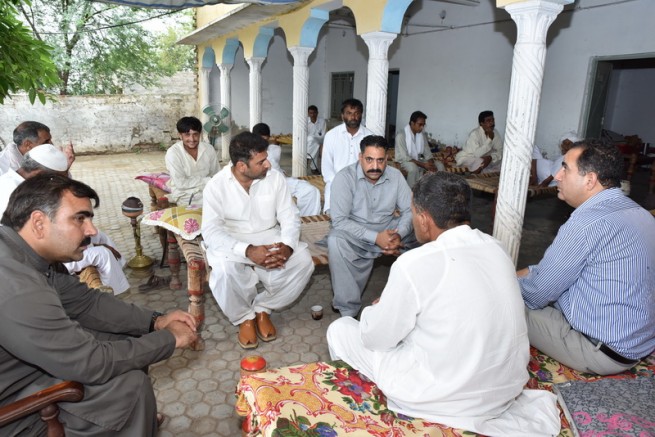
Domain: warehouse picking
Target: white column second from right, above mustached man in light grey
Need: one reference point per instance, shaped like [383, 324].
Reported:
[378, 76]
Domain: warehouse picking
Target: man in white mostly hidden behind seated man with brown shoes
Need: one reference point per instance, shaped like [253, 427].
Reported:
[308, 197]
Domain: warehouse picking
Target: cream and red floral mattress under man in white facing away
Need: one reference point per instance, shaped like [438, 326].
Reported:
[331, 399]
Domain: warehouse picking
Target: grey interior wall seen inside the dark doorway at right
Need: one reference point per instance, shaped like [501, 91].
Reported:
[631, 103]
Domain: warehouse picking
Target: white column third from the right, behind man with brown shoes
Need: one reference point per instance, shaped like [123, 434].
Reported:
[300, 102]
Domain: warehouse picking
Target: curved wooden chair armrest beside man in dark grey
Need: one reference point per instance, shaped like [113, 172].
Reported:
[45, 403]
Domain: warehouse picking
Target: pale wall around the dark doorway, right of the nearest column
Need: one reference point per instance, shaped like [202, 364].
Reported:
[575, 39]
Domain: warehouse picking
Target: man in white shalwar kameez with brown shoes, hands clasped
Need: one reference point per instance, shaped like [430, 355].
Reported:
[251, 229]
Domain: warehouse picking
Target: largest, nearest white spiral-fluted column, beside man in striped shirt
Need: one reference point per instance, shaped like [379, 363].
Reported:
[532, 19]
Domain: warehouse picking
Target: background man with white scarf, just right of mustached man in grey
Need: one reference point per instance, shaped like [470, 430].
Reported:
[413, 151]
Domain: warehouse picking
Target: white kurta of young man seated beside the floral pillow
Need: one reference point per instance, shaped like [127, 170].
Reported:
[189, 176]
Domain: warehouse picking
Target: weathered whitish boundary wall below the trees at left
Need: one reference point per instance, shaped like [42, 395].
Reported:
[105, 124]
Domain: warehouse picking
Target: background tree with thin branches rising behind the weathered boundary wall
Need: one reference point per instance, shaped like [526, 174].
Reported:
[99, 48]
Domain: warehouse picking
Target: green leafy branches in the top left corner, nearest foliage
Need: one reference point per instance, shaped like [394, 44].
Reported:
[25, 63]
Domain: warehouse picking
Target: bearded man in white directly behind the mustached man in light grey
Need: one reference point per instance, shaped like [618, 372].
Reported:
[341, 144]
